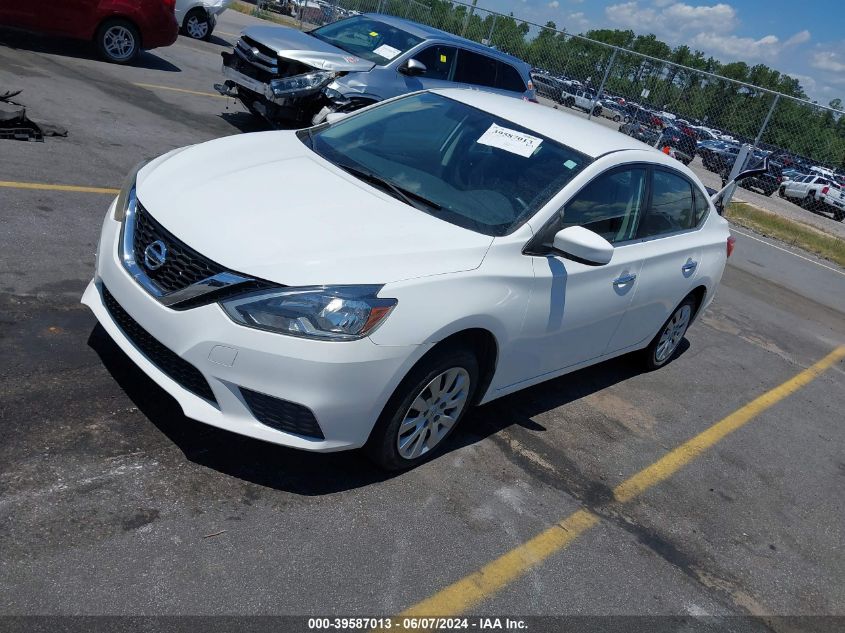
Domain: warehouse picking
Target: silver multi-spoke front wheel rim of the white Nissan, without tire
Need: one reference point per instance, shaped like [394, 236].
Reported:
[433, 413]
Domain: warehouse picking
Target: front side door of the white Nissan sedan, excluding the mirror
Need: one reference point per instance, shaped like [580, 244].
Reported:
[575, 308]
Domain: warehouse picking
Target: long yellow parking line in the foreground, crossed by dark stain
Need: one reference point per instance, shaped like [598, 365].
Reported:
[468, 592]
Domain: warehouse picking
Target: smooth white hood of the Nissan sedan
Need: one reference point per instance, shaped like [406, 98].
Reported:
[265, 205]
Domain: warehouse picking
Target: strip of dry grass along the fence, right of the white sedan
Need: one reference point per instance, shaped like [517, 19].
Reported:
[794, 233]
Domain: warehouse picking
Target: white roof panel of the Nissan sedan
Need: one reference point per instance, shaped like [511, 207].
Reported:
[592, 139]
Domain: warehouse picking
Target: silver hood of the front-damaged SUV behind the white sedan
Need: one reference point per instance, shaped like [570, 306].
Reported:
[307, 49]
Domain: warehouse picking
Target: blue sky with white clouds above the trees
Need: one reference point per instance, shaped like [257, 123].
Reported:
[805, 40]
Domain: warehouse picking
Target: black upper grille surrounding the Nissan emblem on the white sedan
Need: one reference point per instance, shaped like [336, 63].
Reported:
[182, 267]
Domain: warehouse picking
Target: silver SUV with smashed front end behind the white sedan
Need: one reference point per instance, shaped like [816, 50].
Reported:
[289, 77]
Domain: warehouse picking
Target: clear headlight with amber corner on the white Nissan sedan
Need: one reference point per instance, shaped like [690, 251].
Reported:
[332, 313]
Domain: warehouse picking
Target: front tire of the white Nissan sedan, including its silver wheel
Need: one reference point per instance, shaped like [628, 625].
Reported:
[393, 445]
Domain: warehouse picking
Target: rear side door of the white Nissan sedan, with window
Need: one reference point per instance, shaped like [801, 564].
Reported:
[670, 246]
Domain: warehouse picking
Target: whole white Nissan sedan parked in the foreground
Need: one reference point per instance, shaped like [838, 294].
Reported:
[364, 282]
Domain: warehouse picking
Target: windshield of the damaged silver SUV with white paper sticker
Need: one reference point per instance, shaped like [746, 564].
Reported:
[373, 40]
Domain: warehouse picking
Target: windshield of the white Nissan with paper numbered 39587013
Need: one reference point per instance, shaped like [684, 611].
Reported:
[463, 165]
